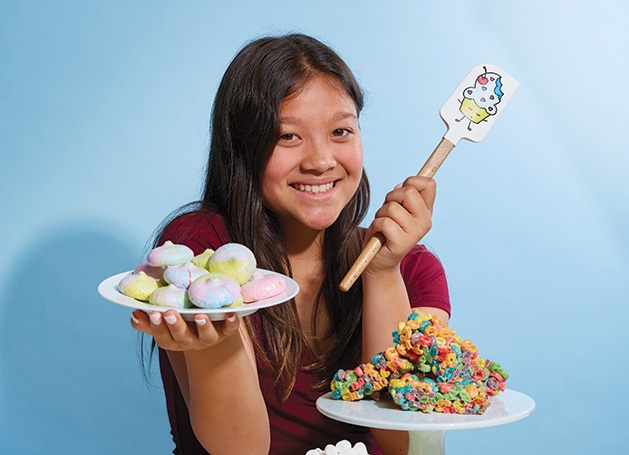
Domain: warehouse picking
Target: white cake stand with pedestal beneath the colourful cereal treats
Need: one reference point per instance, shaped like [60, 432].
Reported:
[426, 431]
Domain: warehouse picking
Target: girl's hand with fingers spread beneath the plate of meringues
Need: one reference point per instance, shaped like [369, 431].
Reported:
[173, 333]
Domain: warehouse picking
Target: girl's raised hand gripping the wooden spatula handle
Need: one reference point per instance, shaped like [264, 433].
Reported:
[404, 218]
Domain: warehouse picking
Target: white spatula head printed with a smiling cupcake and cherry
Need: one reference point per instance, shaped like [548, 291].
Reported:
[477, 102]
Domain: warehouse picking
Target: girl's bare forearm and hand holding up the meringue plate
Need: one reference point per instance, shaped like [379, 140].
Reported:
[218, 379]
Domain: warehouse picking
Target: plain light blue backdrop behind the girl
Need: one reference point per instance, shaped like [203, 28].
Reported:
[103, 130]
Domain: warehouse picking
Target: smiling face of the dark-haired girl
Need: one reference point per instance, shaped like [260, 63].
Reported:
[317, 164]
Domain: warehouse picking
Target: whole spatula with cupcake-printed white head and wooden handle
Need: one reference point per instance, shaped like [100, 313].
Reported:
[469, 113]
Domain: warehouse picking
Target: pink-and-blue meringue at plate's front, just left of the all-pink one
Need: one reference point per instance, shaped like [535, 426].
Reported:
[214, 290]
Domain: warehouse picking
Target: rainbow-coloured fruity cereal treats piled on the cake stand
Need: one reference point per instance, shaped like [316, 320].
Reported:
[430, 369]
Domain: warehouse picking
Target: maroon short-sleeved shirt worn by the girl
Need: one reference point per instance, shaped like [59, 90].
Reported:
[296, 426]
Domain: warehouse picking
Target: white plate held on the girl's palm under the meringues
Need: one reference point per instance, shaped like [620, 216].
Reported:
[109, 290]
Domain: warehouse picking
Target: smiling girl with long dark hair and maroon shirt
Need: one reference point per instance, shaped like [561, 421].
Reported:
[285, 177]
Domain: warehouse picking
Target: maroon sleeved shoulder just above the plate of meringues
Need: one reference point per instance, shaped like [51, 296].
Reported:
[199, 229]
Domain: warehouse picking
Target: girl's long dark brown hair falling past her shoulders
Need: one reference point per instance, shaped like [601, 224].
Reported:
[245, 128]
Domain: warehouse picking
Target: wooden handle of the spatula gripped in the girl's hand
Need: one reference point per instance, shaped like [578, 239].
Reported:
[370, 250]
